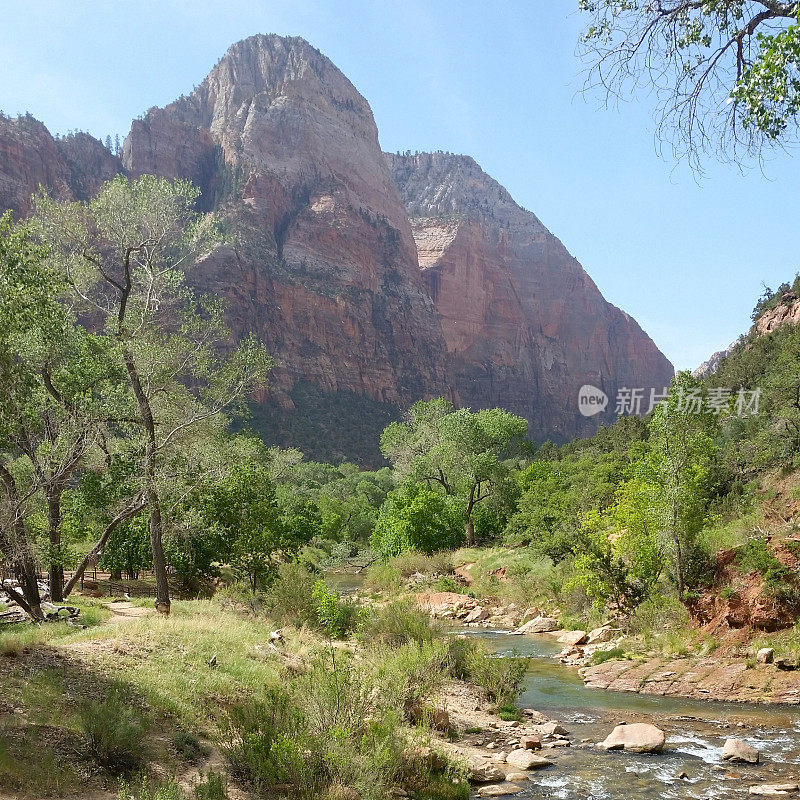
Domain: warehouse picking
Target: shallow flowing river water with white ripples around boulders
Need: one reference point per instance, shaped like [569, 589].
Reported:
[696, 731]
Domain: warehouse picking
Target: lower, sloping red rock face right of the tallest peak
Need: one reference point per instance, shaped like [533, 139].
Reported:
[525, 326]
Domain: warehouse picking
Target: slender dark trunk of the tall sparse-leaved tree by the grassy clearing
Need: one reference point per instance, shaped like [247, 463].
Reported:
[151, 489]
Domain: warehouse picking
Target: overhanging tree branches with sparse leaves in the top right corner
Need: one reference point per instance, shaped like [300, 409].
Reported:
[725, 74]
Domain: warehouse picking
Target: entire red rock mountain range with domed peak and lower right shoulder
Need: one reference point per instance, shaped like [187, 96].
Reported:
[374, 280]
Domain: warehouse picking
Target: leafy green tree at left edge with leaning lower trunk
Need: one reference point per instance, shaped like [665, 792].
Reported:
[58, 390]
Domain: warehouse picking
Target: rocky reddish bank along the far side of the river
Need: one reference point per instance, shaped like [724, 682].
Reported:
[685, 660]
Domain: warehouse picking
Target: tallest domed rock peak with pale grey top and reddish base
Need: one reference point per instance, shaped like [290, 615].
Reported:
[325, 269]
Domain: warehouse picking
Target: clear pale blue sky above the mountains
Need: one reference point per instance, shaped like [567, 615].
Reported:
[499, 81]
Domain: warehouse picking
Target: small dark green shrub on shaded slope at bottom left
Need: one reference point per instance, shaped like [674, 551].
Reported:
[115, 732]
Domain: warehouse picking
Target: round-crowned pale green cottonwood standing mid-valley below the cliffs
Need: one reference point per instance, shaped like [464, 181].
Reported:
[464, 453]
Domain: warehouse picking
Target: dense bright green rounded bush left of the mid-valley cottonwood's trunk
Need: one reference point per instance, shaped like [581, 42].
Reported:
[416, 518]
